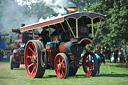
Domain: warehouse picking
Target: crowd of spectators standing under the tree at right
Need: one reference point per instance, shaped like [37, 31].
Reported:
[116, 56]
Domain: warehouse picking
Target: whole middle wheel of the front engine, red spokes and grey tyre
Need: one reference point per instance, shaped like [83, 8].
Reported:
[61, 65]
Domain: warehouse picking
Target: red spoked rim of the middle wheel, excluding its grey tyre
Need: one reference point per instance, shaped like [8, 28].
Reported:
[60, 67]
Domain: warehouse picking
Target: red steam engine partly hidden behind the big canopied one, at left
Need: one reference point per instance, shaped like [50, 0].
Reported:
[18, 54]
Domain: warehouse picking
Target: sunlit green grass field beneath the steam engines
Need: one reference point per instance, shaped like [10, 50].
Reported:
[111, 74]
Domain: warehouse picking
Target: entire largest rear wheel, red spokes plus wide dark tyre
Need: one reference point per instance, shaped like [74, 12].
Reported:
[33, 59]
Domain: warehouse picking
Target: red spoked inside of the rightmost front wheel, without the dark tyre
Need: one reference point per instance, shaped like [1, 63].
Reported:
[88, 66]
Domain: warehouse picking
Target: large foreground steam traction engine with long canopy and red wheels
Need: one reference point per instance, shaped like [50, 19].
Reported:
[62, 49]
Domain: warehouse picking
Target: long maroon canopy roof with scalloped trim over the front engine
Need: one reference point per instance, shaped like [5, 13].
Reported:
[90, 15]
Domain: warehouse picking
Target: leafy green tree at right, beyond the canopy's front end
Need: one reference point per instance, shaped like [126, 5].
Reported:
[114, 31]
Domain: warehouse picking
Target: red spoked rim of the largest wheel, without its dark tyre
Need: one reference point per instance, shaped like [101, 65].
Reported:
[31, 59]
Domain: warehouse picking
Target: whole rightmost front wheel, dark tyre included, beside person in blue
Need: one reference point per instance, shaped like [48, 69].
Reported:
[90, 64]
